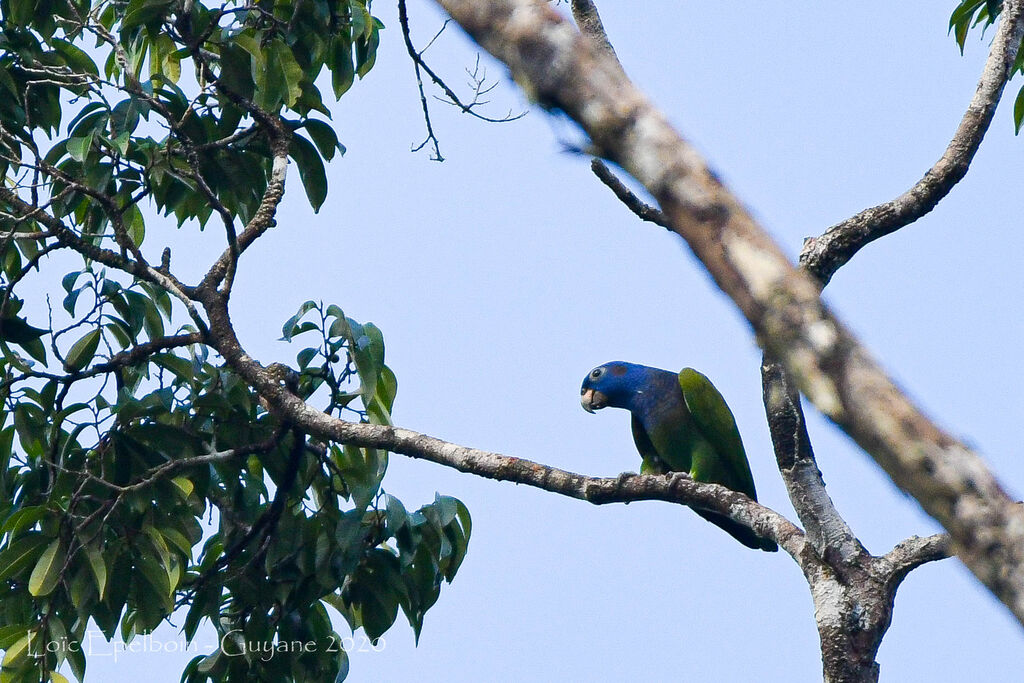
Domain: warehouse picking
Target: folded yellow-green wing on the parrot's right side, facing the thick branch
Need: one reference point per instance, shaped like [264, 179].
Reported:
[728, 465]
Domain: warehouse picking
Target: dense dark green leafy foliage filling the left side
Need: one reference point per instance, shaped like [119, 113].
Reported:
[122, 430]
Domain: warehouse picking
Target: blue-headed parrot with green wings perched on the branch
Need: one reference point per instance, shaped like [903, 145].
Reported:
[680, 424]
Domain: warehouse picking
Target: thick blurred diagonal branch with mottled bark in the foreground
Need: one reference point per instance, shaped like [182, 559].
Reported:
[565, 71]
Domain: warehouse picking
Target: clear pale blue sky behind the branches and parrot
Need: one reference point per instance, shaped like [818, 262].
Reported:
[502, 276]
